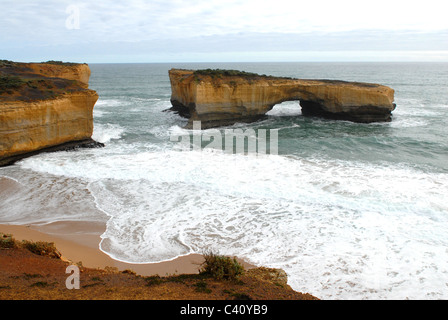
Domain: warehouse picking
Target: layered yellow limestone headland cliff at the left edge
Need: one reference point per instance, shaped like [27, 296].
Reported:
[44, 107]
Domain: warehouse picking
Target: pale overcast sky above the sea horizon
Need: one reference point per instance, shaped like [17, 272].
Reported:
[218, 30]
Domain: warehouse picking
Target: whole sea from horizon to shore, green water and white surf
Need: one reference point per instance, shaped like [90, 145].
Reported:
[349, 211]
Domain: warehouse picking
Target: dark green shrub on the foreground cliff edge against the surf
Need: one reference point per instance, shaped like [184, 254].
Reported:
[221, 267]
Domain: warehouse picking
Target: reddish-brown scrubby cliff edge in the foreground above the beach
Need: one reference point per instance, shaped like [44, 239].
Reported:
[37, 271]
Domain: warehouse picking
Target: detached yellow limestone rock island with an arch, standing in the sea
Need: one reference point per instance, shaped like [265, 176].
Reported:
[217, 99]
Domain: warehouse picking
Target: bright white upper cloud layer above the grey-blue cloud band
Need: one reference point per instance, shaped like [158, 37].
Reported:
[141, 20]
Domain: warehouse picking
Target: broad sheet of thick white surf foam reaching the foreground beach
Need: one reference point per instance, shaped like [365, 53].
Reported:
[340, 229]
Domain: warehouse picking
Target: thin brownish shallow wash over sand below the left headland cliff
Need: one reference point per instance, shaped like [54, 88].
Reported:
[35, 198]
